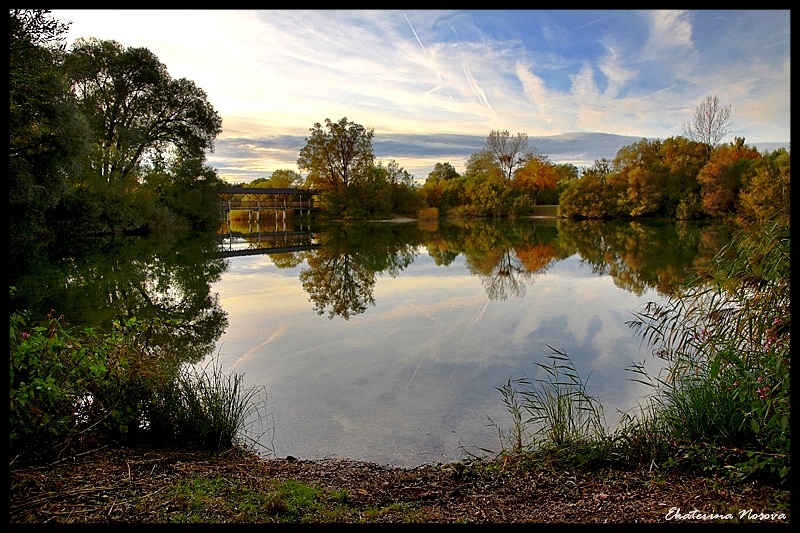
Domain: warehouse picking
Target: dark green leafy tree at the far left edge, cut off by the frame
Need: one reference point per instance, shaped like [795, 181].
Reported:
[47, 135]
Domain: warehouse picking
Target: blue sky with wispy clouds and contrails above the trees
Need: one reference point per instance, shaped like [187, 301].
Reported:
[433, 84]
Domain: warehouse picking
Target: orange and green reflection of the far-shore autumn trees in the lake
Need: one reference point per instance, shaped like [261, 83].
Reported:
[507, 256]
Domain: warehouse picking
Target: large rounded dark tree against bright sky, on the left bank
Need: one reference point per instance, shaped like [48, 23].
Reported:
[136, 110]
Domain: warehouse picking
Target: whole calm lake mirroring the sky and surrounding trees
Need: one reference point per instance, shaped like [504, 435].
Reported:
[387, 342]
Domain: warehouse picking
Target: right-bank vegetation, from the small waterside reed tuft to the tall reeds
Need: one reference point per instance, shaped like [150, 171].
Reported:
[722, 405]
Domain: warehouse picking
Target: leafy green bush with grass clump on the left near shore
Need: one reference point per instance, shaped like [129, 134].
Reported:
[73, 390]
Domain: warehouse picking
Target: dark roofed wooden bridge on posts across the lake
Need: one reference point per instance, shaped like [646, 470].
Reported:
[255, 200]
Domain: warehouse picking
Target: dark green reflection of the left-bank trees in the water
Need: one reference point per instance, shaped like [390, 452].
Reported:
[166, 277]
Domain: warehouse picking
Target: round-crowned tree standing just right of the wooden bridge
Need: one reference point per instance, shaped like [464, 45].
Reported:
[337, 157]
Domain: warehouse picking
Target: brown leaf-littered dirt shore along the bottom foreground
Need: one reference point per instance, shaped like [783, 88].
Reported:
[132, 486]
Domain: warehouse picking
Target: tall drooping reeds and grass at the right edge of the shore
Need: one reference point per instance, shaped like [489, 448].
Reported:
[725, 398]
